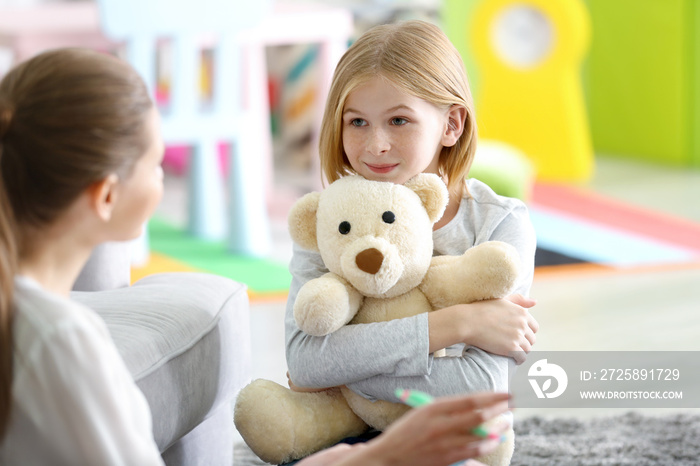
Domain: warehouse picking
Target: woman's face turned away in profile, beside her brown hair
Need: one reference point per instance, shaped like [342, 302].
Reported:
[142, 191]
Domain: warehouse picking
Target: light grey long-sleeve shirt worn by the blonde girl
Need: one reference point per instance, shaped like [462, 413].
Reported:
[375, 359]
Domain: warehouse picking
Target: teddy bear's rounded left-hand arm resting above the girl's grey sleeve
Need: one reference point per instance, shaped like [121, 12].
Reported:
[325, 304]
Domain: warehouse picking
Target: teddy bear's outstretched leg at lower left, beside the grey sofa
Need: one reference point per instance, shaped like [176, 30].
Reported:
[281, 425]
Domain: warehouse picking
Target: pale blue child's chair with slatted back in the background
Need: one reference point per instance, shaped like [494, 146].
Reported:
[140, 24]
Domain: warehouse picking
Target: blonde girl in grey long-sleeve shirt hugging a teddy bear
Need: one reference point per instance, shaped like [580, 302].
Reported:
[399, 105]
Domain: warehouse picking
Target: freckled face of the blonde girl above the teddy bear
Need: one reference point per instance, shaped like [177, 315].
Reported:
[389, 135]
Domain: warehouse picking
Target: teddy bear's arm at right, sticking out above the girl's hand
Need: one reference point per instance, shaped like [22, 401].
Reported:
[486, 271]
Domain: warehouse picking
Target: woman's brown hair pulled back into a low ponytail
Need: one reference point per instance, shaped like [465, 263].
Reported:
[68, 119]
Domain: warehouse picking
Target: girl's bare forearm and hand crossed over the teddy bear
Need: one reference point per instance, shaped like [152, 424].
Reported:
[500, 326]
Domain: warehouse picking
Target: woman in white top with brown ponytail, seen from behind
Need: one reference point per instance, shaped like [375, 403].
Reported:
[80, 155]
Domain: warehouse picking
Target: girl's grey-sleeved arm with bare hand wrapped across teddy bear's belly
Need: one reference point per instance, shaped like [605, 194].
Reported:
[401, 348]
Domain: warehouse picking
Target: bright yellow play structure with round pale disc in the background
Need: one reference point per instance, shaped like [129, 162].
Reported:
[528, 54]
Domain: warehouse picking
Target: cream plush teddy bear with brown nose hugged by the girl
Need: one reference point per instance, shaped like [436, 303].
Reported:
[375, 238]
